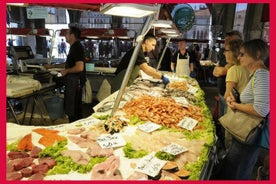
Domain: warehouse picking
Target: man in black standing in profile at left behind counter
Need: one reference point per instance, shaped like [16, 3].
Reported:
[74, 75]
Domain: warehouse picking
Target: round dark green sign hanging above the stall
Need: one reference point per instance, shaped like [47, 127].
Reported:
[183, 17]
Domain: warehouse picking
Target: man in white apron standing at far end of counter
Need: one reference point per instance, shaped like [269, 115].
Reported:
[181, 63]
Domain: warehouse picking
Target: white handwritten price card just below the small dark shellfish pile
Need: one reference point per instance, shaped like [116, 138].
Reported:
[111, 141]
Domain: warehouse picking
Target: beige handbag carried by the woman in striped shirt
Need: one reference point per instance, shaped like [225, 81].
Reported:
[242, 126]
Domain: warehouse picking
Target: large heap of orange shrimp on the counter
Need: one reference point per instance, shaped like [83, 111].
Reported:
[164, 111]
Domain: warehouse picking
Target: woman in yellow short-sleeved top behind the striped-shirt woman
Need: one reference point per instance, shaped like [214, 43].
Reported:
[237, 76]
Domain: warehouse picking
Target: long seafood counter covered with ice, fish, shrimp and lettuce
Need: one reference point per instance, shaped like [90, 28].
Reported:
[158, 133]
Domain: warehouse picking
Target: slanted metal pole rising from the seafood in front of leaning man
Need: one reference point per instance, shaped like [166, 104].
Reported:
[132, 63]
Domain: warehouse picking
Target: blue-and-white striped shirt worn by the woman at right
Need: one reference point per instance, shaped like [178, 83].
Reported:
[259, 96]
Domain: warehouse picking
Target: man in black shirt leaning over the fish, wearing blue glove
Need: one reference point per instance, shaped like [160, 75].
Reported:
[148, 45]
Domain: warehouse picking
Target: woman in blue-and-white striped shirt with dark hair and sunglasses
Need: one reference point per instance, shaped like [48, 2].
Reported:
[241, 158]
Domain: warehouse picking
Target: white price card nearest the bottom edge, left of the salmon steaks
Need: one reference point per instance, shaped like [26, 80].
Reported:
[150, 165]
